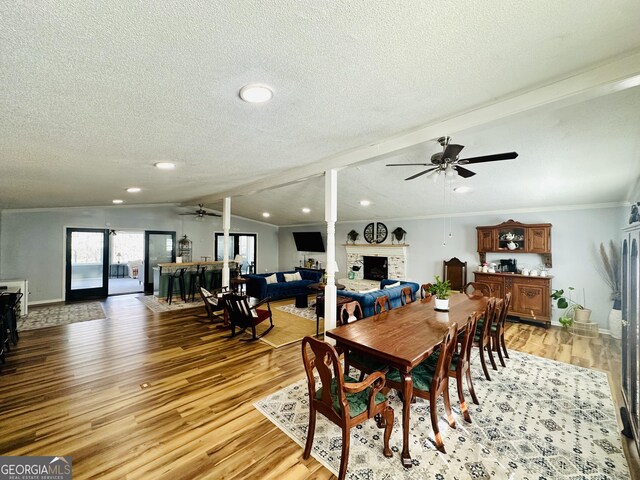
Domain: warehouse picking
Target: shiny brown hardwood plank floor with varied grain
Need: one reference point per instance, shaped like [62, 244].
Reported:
[144, 395]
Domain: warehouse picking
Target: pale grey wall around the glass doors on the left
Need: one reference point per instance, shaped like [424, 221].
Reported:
[32, 243]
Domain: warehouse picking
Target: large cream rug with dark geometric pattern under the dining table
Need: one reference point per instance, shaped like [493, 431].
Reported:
[538, 419]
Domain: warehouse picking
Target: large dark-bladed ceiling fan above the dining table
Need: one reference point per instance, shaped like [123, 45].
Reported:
[448, 162]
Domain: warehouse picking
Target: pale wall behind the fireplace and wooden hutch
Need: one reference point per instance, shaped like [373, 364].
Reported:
[575, 236]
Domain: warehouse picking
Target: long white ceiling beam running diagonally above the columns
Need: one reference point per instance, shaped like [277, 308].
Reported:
[615, 75]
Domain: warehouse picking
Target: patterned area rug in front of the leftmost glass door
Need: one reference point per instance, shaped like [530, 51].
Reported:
[53, 315]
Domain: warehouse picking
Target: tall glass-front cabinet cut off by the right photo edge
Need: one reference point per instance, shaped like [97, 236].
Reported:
[631, 332]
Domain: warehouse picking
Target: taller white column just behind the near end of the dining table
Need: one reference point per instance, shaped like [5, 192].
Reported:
[330, 215]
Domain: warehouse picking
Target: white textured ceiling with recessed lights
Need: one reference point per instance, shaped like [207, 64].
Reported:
[93, 93]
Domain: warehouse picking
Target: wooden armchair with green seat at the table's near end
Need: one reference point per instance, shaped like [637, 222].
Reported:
[343, 400]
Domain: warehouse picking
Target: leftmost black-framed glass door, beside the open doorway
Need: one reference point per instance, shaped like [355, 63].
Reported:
[87, 262]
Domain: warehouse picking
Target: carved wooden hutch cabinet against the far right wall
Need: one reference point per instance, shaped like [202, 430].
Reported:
[530, 296]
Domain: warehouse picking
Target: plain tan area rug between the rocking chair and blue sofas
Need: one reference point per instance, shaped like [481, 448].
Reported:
[291, 324]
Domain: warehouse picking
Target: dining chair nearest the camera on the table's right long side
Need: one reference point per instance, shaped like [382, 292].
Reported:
[430, 384]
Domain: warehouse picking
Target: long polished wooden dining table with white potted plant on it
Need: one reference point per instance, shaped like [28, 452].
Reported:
[403, 338]
